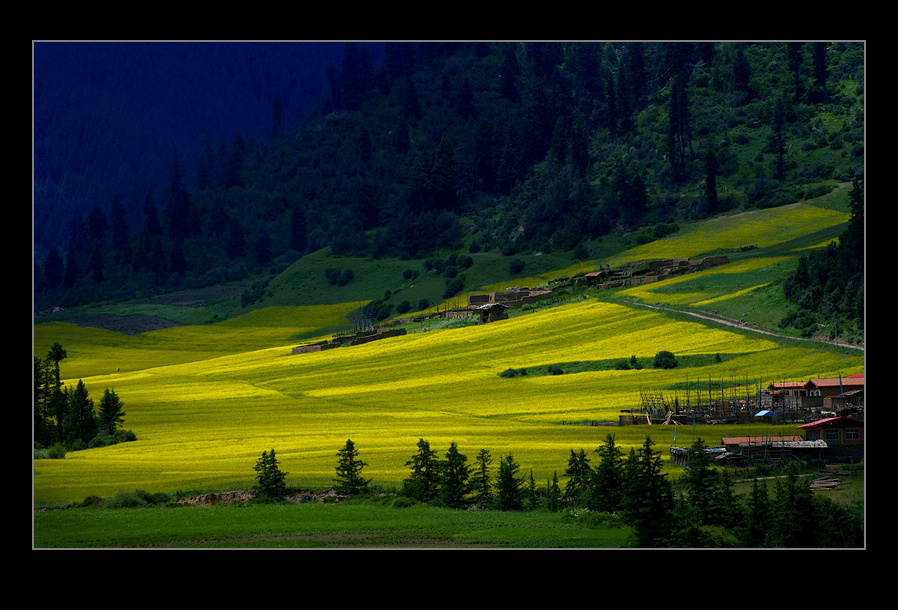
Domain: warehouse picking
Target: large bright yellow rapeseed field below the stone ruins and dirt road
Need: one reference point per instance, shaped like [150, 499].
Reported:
[205, 402]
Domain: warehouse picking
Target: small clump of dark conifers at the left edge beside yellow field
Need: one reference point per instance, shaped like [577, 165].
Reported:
[66, 417]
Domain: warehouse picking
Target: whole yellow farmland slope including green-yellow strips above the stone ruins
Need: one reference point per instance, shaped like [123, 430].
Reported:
[206, 400]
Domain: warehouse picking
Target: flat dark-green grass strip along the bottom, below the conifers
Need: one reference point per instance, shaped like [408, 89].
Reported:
[314, 525]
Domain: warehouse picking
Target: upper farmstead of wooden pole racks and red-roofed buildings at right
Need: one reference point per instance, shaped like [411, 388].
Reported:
[709, 401]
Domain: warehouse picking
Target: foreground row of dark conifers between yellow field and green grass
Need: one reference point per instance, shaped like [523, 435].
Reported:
[700, 510]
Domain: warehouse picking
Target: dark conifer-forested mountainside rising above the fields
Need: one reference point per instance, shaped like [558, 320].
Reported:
[474, 146]
